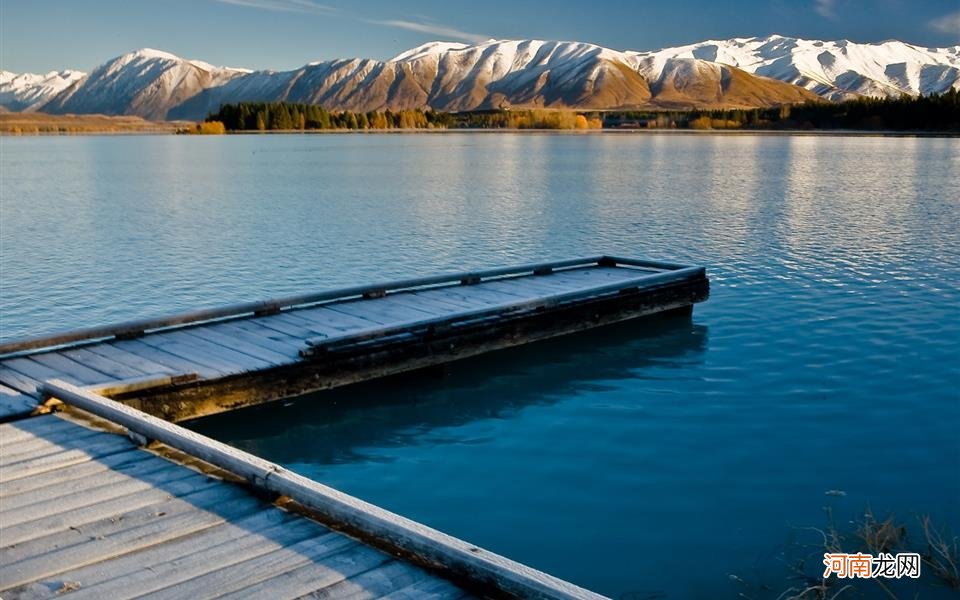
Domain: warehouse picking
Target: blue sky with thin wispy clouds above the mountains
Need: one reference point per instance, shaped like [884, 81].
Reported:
[44, 35]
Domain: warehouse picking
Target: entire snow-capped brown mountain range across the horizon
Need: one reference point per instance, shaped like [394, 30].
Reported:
[735, 73]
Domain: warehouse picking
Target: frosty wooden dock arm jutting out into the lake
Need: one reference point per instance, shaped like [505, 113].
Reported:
[214, 360]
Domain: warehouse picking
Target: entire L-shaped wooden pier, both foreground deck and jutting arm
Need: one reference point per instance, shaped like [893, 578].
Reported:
[108, 499]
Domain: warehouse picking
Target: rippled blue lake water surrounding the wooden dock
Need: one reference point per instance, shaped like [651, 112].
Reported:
[652, 460]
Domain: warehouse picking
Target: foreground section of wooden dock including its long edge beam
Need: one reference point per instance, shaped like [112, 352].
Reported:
[85, 512]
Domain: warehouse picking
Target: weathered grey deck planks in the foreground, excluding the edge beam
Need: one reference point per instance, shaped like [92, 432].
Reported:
[87, 514]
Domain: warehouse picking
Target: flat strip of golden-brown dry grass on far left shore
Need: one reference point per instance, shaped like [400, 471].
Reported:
[44, 124]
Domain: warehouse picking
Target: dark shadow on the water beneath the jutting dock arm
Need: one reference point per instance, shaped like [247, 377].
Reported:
[334, 426]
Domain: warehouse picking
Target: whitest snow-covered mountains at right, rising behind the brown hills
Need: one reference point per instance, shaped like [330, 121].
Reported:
[834, 70]
